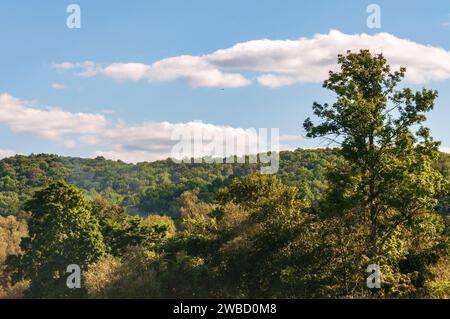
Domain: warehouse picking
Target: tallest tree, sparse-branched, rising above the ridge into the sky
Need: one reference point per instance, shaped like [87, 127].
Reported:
[387, 176]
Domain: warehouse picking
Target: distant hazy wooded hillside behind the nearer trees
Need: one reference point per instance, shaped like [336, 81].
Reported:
[149, 188]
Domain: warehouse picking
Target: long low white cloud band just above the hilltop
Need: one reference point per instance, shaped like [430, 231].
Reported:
[147, 141]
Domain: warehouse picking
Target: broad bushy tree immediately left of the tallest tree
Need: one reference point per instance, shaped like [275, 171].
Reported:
[273, 250]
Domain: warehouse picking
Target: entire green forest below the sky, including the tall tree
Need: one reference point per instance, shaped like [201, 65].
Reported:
[380, 195]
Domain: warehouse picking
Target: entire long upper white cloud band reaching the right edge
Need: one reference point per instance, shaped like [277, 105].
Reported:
[279, 62]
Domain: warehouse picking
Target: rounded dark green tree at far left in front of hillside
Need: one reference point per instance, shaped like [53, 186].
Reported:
[62, 231]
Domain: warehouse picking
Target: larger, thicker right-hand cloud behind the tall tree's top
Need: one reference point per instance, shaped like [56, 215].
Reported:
[309, 60]
